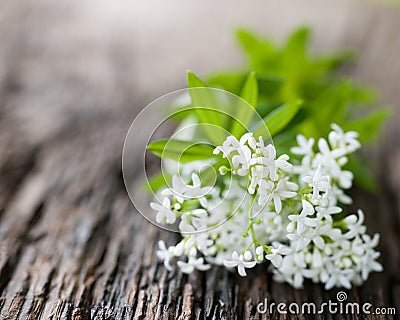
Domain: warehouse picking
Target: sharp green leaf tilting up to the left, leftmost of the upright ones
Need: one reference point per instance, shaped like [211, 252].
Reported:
[206, 109]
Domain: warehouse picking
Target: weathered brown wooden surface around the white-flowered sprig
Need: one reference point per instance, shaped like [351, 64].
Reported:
[71, 80]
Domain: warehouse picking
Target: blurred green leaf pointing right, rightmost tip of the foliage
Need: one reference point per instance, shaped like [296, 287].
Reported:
[369, 126]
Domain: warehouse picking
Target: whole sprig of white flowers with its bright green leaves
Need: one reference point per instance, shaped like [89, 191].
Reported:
[282, 203]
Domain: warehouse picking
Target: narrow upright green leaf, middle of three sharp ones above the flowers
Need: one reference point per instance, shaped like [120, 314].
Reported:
[243, 114]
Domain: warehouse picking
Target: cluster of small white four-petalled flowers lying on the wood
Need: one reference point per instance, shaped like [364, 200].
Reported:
[265, 208]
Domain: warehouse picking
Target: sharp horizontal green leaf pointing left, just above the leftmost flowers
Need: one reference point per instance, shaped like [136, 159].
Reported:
[179, 150]
